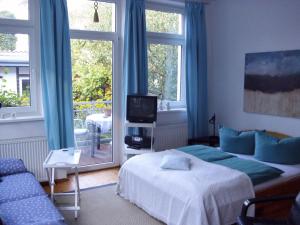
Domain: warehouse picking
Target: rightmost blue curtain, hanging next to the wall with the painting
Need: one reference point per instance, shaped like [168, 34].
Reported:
[196, 70]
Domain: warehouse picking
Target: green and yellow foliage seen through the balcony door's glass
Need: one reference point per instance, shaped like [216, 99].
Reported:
[92, 70]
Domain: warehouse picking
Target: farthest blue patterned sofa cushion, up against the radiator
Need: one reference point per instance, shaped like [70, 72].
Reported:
[11, 166]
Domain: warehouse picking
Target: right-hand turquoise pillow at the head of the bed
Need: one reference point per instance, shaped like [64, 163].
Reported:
[275, 150]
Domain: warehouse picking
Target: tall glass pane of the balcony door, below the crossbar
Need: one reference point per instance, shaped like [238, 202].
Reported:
[92, 96]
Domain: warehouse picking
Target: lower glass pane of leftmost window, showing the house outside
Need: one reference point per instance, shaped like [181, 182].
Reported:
[14, 70]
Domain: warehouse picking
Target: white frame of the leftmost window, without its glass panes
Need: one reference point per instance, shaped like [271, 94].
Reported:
[31, 28]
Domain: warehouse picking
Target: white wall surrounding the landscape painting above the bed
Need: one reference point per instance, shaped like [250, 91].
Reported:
[236, 27]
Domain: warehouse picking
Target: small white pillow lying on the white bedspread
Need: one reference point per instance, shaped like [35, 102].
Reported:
[175, 162]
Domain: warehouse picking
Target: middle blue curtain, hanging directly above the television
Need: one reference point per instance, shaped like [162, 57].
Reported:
[135, 48]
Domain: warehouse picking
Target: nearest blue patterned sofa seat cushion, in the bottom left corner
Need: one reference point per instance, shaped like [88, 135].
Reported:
[31, 211]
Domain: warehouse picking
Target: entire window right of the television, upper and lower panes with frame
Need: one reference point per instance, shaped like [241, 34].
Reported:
[165, 54]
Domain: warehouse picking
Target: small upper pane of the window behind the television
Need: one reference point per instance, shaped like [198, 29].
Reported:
[158, 21]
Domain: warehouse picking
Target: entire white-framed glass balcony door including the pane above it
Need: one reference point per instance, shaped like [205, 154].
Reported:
[94, 58]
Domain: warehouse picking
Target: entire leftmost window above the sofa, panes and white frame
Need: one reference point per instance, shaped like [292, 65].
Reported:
[18, 61]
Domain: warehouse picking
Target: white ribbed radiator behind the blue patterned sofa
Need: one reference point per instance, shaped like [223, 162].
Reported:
[32, 151]
